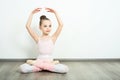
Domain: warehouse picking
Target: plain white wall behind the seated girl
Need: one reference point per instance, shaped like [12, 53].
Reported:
[91, 28]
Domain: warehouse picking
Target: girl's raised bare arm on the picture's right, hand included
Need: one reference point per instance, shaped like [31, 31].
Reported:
[60, 24]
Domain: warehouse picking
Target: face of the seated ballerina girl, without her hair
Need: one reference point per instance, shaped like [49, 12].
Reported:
[46, 27]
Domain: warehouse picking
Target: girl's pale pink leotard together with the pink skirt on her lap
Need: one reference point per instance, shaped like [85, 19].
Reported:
[45, 46]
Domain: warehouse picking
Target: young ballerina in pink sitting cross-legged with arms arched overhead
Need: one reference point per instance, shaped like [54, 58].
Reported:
[45, 44]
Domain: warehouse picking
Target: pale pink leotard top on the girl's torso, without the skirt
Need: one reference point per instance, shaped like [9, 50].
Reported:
[45, 47]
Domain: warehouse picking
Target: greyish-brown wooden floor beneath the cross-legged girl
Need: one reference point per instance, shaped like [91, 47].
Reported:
[79, 70]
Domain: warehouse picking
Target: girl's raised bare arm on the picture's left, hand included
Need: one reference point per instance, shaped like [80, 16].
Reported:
[28, 24]
